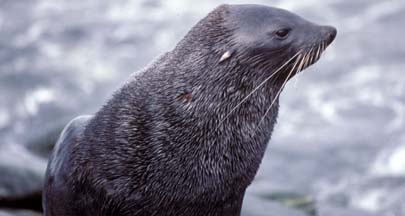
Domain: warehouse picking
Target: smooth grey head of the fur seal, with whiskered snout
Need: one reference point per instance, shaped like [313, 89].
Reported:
[266, 37]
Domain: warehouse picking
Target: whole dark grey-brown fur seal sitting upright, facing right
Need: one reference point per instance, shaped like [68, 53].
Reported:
[187, 134]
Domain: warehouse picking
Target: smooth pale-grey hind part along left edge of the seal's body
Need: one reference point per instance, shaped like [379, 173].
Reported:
[57, 171]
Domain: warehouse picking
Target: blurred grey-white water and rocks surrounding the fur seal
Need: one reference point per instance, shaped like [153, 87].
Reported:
[338, 148]
